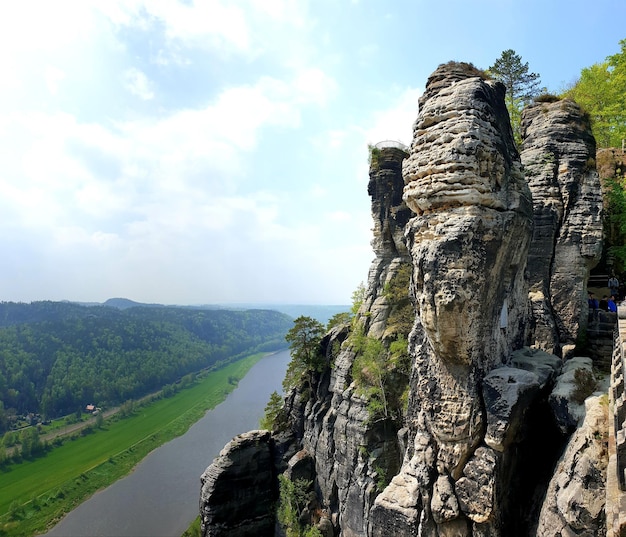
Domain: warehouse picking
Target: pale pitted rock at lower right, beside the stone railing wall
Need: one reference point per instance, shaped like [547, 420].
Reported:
[574, 503]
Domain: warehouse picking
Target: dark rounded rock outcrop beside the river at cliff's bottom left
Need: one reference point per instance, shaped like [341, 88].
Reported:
[238, 490]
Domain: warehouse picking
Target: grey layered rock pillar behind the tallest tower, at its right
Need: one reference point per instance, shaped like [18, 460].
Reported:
[559, 161]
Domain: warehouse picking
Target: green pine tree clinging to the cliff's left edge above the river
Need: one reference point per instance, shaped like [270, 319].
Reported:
[304, 341]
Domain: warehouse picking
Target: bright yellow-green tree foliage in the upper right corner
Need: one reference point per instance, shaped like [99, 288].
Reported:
[601, 91]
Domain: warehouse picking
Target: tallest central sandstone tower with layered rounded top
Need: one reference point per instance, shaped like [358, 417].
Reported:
[468, 244]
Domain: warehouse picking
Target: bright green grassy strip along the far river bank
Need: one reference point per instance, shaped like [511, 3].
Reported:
[35, 494]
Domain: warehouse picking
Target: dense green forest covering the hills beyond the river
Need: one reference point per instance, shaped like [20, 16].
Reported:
[57, 357]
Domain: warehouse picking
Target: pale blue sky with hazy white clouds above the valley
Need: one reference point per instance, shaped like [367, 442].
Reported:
[215, 151]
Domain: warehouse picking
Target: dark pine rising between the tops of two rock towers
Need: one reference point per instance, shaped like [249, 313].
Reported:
[521, 86]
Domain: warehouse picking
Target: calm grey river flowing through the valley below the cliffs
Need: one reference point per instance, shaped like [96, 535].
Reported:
[160, 497]
